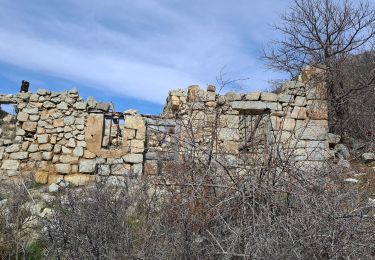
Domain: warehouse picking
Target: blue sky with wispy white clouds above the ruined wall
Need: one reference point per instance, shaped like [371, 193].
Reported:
[133, 52]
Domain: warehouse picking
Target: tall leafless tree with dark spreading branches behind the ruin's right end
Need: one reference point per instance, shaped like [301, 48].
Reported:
[327, 34]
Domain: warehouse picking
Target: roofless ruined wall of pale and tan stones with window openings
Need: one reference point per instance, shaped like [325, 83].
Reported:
[59, 136]
